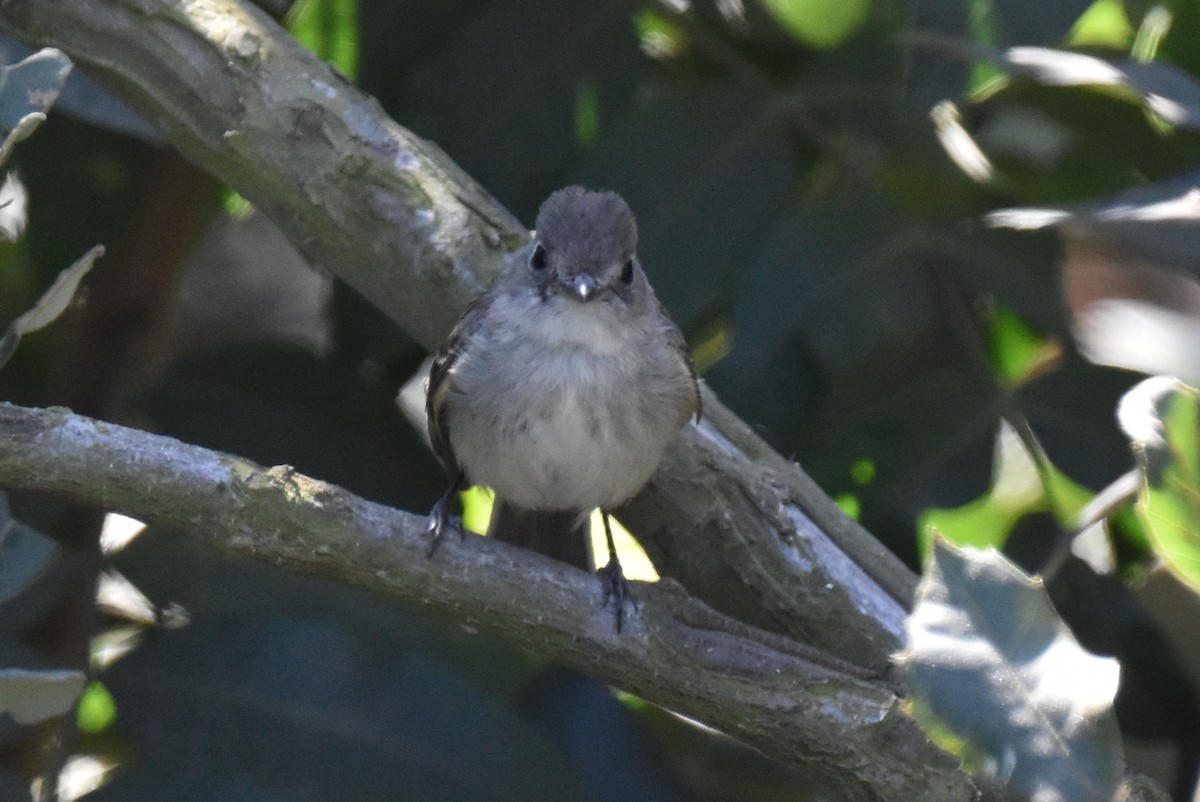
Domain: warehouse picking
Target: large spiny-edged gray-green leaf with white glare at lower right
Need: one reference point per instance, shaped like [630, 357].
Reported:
[998, 679]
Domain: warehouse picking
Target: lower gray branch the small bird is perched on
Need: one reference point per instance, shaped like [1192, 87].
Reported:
[759, 687]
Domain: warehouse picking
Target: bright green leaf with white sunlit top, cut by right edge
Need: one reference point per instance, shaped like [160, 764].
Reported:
[1162, 418]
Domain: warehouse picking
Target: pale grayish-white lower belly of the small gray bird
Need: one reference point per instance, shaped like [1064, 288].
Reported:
[556, 445]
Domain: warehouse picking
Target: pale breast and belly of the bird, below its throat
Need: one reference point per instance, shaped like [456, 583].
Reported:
[579, 430]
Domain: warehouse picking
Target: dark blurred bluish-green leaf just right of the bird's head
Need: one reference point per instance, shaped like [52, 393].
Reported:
[668, 155]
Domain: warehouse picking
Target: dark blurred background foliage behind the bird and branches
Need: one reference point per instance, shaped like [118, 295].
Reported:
[817, 228]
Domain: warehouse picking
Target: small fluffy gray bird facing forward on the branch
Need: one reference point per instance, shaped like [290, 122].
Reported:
[562, 386]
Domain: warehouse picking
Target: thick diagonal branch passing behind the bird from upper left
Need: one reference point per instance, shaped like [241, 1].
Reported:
[394, 218]
